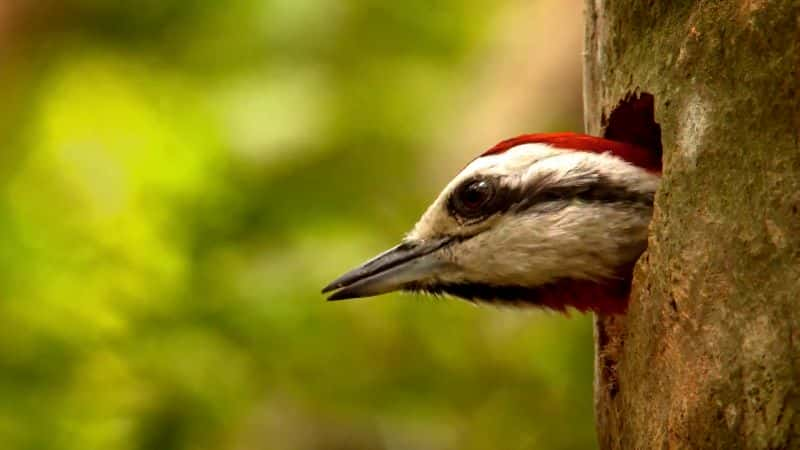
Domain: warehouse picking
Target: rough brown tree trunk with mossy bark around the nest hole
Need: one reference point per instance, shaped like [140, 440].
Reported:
[707, 355]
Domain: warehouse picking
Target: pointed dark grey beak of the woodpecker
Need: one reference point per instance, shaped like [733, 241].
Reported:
[392, 270]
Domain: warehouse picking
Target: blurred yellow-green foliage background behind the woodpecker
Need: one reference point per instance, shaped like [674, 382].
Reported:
[180, 178]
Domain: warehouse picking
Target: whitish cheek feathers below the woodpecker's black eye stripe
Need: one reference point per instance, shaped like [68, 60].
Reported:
[584, 242]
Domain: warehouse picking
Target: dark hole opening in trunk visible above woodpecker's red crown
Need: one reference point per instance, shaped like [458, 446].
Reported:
[633, 121]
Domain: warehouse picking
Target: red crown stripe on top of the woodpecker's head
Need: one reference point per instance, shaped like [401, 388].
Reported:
[633, 154]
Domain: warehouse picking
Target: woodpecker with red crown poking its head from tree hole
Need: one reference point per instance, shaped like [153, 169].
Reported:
[555, 220]
